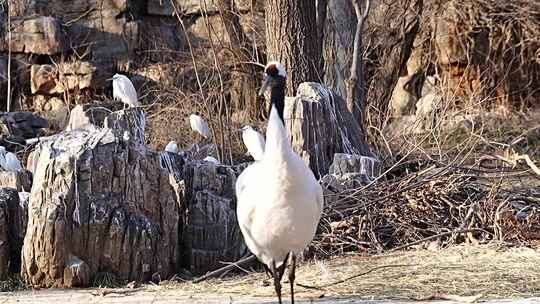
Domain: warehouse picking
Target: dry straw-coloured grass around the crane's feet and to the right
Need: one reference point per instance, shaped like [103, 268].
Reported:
[494, 271]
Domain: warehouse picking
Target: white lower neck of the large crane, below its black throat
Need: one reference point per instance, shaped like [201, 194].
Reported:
[277, 141]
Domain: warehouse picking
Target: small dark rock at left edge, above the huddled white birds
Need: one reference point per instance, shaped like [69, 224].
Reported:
[22, 124]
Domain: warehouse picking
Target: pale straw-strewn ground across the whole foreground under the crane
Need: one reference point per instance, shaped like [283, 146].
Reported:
[462, 274]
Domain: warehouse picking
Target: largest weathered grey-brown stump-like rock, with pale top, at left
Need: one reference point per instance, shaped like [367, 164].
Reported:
[100, 204]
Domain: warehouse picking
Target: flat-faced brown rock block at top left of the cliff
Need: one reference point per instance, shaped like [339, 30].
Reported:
[37, 35]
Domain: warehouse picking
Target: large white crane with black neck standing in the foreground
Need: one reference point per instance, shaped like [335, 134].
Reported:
[279, 200]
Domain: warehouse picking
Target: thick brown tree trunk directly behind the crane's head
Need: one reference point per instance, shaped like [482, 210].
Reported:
[292, 39]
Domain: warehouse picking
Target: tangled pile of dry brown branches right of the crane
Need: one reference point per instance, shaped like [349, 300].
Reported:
[446, 204]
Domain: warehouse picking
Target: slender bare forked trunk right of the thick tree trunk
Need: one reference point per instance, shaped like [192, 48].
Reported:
[355, 84]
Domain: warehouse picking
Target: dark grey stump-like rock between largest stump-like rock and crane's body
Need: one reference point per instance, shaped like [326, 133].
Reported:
[211, 234]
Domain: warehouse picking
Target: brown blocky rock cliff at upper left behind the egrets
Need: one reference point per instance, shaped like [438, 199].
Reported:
[68, 49]
